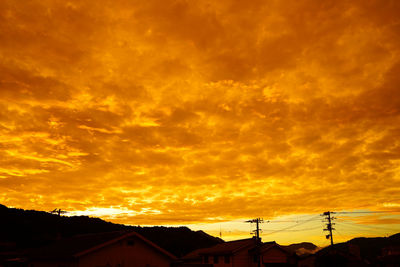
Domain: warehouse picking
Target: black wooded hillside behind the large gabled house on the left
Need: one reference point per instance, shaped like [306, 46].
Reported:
[21, 229]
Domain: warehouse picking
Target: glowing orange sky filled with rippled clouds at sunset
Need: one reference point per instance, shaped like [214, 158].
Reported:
[202, 113]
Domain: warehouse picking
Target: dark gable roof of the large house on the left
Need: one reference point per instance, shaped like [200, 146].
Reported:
[77, 246]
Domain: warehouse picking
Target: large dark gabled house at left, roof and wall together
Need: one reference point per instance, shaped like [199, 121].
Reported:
[110, 249]
